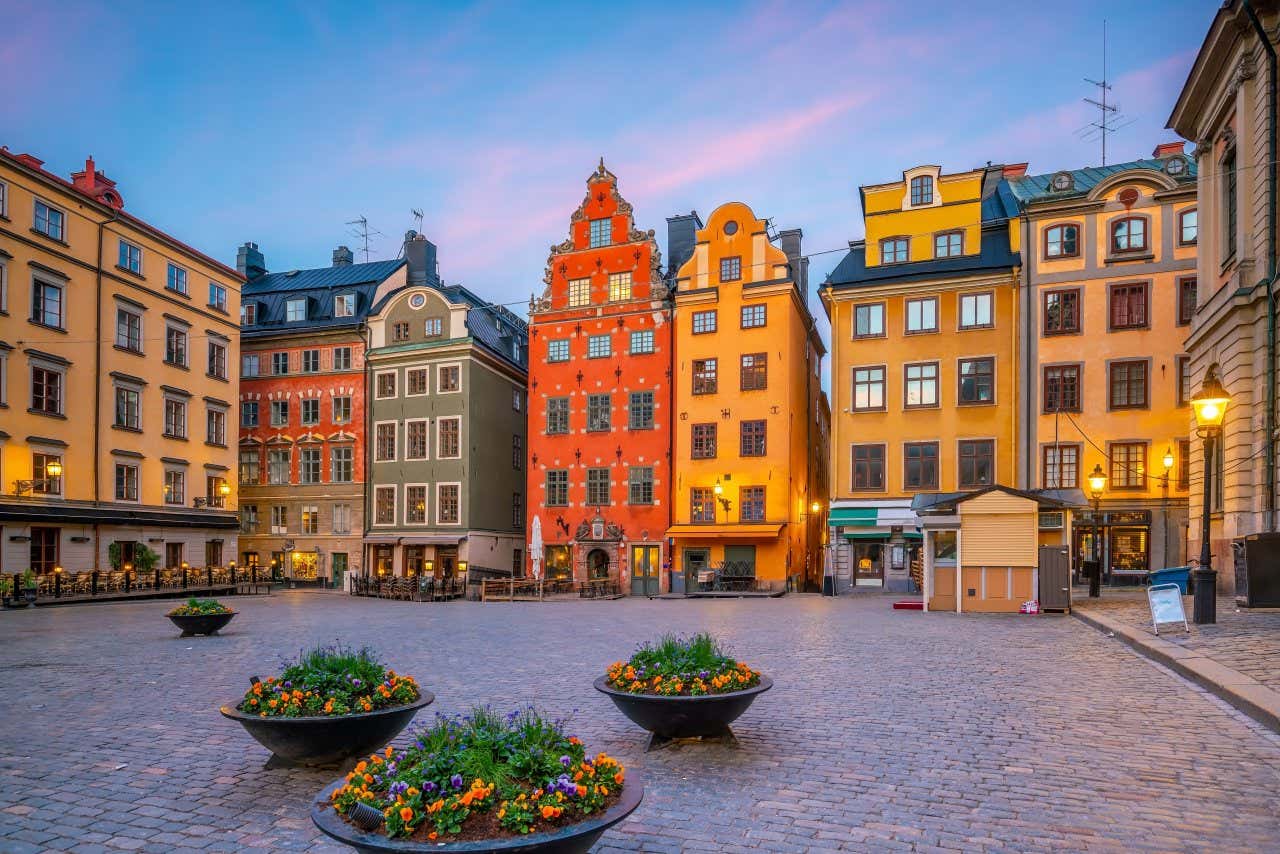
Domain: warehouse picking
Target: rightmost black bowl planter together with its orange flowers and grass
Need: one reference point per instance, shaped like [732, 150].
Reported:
[683, 688]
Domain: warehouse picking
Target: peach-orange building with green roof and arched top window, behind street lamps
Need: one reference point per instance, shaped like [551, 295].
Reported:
[1110, 262]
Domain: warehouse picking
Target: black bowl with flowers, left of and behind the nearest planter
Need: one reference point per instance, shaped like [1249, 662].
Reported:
[331, 705]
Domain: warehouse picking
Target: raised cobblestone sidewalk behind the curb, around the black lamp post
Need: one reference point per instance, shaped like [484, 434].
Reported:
[1245, 640]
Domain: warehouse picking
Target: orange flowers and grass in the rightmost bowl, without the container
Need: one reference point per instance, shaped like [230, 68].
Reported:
[675, 666]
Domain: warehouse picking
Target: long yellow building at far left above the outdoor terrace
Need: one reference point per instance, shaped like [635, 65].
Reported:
[118, 372]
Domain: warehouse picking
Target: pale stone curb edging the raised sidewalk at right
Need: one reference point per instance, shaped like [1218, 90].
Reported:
[1245, 693]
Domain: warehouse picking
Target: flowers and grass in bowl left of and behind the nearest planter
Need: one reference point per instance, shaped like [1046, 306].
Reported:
[330, 682]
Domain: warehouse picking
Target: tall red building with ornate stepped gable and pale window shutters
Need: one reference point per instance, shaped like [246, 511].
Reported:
[600, 400]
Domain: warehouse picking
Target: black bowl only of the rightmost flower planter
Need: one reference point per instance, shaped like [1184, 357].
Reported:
[684, 718]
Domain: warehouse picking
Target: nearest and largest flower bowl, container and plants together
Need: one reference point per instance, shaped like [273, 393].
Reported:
[482, 783]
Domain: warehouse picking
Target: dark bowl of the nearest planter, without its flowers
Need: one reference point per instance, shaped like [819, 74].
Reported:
[572, 839]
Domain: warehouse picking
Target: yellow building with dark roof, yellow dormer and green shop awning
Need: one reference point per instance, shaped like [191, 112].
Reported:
[925, 362]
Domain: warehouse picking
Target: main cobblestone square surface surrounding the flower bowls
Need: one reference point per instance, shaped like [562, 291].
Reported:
[885, 730]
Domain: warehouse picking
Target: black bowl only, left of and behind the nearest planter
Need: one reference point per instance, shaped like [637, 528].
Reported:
[327, 739]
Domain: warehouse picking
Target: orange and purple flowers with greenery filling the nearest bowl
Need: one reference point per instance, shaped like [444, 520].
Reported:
[482, 778]
